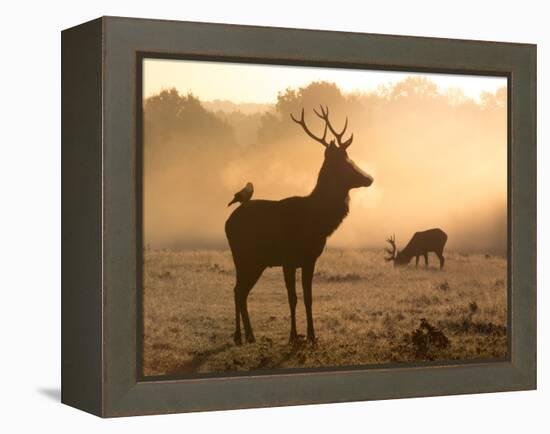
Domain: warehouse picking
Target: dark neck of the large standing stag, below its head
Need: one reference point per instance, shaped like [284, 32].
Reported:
[330, 204]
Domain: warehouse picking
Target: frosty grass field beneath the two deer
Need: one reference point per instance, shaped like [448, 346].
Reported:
[365, 312]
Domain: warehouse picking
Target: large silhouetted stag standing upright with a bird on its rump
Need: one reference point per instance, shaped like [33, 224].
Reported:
[292, 232]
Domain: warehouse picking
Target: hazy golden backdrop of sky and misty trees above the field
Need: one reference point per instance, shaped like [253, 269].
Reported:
[436, 145]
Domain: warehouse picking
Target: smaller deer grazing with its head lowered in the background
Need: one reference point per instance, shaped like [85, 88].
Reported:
[432, 240]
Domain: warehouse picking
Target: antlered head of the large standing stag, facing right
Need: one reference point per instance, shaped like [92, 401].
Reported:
[338, 171]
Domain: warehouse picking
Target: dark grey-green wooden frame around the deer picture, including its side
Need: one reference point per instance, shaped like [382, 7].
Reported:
[100, 226]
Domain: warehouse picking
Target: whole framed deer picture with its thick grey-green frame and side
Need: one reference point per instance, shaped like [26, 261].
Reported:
[258, 216]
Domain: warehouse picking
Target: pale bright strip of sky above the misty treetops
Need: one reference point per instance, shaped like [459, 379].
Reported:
[251, 83]
